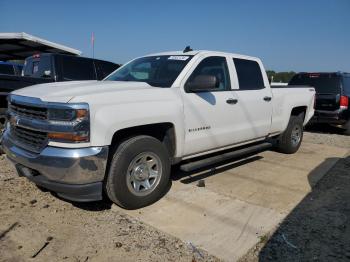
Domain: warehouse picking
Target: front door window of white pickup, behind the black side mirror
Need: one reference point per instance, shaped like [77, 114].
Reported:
[214, 66]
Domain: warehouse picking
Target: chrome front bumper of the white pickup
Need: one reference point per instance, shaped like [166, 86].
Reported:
[75, 174]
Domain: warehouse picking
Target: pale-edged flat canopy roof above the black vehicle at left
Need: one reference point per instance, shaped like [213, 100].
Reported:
[18, 46]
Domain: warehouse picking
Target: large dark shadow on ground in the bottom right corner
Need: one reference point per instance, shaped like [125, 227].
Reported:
[317, 229]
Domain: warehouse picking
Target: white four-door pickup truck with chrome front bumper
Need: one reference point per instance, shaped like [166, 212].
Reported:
[122, 135]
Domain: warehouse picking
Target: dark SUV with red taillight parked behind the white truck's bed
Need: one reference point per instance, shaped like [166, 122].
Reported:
[332, 97]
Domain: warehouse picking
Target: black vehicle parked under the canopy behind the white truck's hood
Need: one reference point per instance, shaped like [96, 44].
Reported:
[48, 67]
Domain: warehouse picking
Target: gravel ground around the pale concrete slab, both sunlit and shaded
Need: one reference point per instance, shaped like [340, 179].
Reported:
[37, 224]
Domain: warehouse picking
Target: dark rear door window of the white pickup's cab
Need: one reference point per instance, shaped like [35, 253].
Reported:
[249, 74]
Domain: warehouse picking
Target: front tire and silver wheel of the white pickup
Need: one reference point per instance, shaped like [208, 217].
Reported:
[136, 161]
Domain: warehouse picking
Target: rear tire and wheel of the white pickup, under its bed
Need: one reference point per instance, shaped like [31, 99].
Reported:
[290, 140]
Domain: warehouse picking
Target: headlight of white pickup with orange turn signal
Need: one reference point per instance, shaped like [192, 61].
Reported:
[72, 123]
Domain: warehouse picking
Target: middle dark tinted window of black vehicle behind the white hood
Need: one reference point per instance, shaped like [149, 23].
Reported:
[74, 68]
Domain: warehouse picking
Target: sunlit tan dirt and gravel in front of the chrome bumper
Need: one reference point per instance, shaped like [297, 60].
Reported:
[39, 226]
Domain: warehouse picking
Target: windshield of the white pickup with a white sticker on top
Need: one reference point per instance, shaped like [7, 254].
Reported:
[159, 71]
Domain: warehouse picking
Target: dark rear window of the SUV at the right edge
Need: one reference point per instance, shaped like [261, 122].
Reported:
[323, 83]
